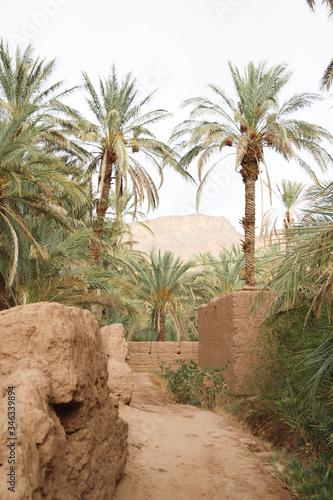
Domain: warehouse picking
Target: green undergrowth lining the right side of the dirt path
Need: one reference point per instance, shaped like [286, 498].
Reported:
[276, 403]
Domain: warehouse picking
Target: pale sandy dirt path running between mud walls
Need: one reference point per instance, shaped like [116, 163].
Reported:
[180, 452]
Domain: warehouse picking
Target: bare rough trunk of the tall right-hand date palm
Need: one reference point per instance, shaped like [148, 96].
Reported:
[248, 223]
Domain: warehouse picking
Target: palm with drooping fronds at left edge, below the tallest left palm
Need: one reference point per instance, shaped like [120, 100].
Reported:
[31, 180]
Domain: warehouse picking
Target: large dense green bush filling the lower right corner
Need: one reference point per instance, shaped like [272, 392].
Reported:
[294, 379]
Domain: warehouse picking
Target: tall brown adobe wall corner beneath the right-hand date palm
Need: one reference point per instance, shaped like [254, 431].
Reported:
[226, 328]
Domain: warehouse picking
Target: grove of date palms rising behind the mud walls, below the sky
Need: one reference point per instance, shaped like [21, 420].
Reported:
[67, 181]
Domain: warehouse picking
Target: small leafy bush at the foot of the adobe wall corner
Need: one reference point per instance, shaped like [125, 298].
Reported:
[191, 385]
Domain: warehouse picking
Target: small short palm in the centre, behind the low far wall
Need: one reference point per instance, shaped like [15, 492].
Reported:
[166, 285]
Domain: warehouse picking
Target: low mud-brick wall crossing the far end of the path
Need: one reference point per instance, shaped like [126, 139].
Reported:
[149, 354]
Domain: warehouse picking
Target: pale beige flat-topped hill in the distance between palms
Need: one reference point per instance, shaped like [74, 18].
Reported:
[186, 235]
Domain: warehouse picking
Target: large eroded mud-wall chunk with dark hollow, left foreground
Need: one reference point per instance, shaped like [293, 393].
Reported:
[71, 444]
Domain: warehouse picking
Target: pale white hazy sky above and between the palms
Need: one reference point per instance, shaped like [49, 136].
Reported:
[179, 47]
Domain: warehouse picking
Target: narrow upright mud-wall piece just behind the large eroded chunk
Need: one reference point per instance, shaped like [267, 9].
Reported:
[120, 379]
